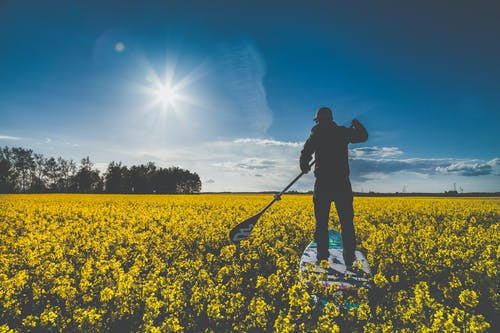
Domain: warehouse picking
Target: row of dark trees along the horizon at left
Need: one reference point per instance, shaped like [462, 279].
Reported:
[24, 171]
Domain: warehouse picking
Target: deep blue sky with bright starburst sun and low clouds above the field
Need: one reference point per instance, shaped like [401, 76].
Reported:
[229, 89]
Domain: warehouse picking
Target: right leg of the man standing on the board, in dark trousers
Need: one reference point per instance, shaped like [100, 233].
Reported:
[343, 204]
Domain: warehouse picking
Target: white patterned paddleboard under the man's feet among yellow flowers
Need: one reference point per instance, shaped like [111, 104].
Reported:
[335, 274]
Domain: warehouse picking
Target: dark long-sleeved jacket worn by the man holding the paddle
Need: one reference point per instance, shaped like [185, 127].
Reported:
[329, 144]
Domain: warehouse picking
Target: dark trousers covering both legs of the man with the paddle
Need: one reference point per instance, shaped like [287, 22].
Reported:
[340, 192]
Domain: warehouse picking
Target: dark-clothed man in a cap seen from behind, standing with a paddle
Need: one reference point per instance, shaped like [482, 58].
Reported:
[328, 142]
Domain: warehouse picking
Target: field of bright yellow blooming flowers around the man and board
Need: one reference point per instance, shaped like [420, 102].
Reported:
[97, 263]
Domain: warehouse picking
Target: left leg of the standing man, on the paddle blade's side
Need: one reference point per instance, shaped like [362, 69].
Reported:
[321, 211]
